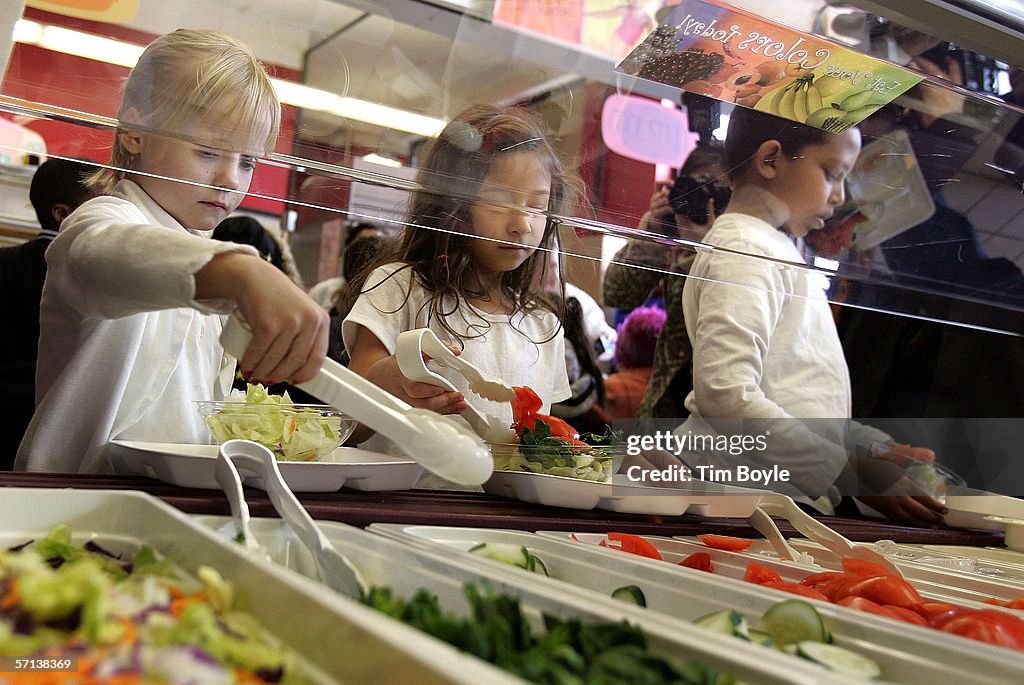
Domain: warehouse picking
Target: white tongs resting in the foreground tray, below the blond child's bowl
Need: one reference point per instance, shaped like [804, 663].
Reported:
[237, 457]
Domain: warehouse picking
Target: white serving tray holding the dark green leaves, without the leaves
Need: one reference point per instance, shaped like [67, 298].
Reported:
[406, 569]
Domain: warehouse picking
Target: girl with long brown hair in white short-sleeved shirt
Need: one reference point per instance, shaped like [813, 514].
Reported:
[466, 266]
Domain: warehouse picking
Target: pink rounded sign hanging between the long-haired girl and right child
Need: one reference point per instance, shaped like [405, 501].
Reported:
[645, 131]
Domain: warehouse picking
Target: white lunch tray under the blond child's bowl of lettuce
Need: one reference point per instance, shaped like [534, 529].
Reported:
[193, 465]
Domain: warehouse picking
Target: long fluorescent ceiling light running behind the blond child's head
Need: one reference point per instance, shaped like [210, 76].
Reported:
[112, 52]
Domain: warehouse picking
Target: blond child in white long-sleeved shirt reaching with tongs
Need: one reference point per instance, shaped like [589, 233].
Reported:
[133, 307]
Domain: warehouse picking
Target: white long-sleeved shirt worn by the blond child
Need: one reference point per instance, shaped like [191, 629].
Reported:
[124, 348]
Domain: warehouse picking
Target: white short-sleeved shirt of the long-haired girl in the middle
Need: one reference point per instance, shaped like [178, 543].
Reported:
[526, 350]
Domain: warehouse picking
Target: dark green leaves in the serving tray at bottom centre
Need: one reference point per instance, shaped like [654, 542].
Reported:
[569, 652]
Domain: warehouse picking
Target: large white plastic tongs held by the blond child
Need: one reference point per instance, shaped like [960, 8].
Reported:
[441, 445]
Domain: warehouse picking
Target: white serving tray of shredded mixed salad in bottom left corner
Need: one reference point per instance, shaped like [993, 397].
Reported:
[340, 639]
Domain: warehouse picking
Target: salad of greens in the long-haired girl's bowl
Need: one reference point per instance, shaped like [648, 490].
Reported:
[540, 452]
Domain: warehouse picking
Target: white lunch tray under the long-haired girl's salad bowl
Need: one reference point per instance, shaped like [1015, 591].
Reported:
[622, 495]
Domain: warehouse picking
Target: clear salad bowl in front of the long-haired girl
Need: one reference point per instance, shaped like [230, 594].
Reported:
[596, 463]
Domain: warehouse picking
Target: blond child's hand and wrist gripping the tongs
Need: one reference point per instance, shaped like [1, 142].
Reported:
[290, 330]
